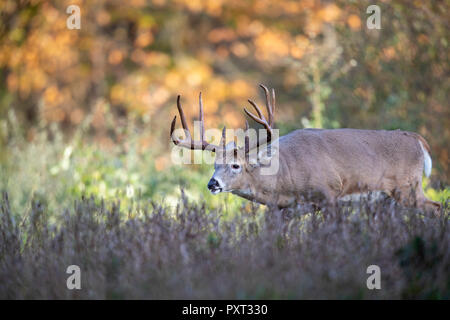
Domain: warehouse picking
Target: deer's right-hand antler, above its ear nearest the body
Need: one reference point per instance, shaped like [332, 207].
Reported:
[268, 124]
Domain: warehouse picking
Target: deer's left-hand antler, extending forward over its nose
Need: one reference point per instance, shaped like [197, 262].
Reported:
[188, 142]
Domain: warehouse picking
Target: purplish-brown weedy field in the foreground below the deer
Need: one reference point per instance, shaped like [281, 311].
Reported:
[153, 252]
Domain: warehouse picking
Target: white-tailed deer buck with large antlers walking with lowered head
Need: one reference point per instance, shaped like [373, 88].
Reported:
[329, 163]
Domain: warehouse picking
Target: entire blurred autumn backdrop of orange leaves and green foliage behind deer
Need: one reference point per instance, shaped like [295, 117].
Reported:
[88, 111]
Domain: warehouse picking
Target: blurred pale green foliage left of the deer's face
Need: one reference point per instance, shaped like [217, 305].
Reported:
[56, 170]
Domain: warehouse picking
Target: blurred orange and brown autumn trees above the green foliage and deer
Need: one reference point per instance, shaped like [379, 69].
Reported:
[134, 57]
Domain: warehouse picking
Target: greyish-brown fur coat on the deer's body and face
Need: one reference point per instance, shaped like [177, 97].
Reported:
[334, 163]
